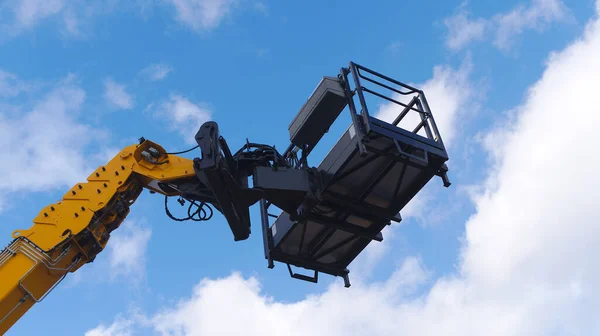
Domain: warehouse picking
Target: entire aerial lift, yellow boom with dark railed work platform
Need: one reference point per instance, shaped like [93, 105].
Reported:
[315, 217]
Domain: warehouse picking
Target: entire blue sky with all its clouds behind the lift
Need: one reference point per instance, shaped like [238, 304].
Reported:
[501, 251]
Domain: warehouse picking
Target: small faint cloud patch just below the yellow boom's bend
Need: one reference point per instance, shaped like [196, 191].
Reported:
[127, 251]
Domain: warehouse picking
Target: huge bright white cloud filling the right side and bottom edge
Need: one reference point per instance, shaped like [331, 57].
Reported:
[527, 263]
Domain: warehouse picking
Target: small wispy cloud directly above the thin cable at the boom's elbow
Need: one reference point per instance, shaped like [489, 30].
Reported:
[183, 115]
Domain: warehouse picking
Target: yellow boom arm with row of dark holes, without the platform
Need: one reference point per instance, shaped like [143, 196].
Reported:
[71, 232]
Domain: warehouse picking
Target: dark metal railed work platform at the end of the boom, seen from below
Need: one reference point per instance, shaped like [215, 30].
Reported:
[364, 181]
